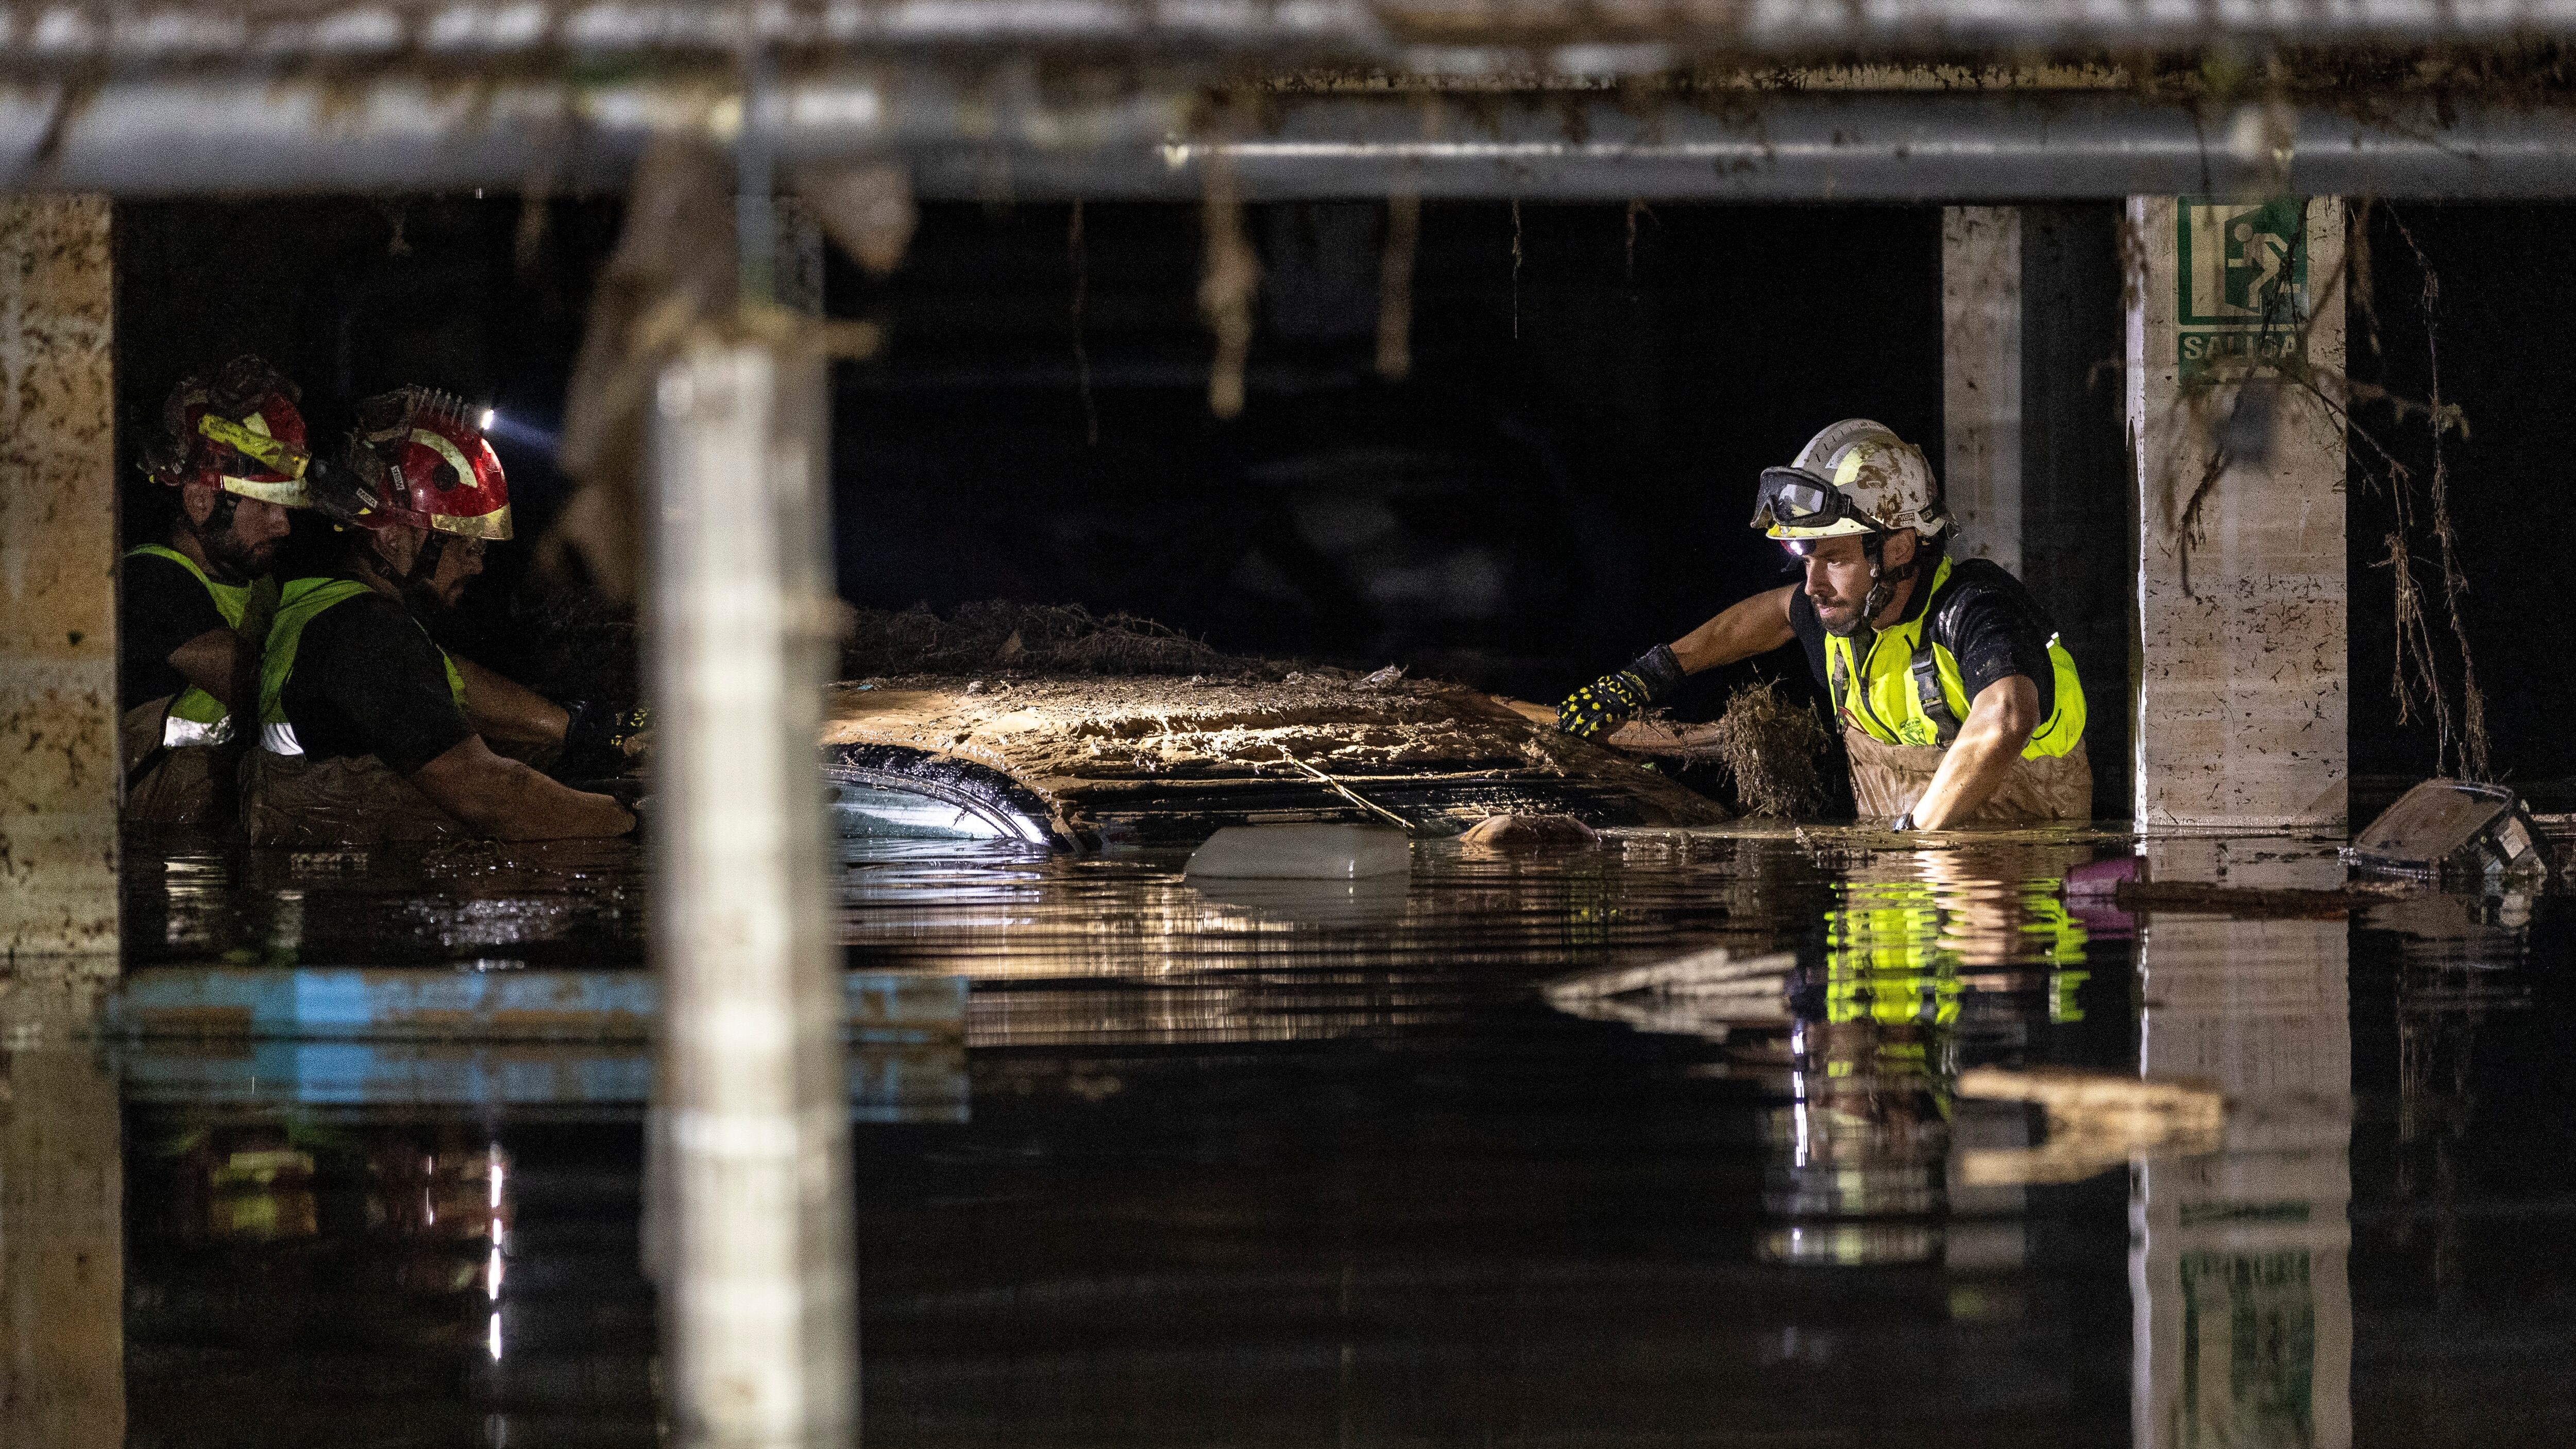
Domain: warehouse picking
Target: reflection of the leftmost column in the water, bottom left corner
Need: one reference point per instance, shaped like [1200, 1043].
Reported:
[63, 1229]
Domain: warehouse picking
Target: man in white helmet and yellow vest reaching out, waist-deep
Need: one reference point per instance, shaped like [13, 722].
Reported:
[1959, 704]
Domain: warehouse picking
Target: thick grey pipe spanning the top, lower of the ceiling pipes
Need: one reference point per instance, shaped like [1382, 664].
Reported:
[1006, 140]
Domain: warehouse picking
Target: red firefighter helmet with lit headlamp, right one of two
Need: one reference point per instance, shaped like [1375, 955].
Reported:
[421, 459]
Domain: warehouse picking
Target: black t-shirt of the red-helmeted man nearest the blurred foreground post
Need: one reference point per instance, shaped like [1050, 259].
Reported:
[372, 683]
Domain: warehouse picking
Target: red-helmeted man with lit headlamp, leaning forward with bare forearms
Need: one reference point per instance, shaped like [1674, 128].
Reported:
[370, 732]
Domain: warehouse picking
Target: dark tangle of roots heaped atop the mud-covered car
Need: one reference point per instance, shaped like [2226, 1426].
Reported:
[1027, 640]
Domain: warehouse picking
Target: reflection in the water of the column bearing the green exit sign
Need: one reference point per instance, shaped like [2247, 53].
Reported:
[2240, 1260]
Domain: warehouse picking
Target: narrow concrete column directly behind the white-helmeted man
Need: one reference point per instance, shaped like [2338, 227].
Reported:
[1982, 380]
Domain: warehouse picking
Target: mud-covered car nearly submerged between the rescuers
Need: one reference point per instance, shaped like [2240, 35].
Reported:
[1163, 761]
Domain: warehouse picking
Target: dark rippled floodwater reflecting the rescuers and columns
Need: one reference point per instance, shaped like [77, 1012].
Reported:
[1274, 1165]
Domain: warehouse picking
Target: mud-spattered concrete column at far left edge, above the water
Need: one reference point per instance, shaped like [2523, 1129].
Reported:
[58, 580]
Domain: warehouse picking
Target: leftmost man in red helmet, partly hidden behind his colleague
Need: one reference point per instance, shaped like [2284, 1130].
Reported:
[194, 606]
